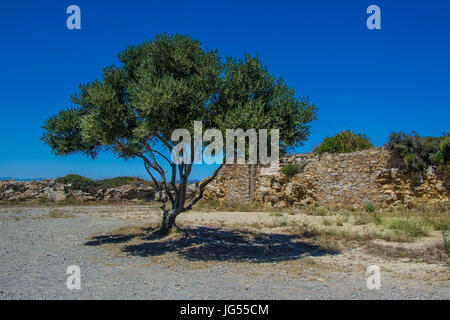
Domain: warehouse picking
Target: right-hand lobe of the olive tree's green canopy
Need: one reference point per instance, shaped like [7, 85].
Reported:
[249, 97]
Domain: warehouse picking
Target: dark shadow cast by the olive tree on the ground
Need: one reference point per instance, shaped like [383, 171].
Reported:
[215, 244]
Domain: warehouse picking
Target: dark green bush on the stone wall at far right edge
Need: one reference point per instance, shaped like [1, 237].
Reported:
[419, 152]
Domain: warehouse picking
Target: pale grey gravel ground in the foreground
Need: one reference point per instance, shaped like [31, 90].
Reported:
[36, 250]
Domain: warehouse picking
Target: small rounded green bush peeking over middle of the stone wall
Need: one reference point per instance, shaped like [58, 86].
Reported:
[344, 142]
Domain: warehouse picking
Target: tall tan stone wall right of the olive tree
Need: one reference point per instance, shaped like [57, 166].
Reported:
[338, 180]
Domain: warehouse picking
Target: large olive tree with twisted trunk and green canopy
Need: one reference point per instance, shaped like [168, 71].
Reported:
[165, 84]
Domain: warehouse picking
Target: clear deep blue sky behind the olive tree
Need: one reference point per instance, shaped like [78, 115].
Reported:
[369, 81]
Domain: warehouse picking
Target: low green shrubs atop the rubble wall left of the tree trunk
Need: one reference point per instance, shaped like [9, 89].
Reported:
[87, 185]
